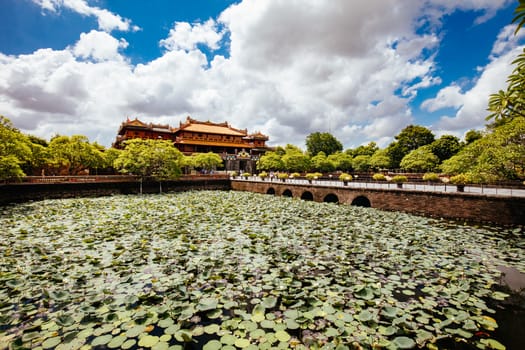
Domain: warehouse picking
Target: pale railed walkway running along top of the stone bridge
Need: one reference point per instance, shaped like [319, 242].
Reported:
[438, 187]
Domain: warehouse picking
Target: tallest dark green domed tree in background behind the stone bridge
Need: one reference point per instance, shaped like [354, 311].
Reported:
[410, 138]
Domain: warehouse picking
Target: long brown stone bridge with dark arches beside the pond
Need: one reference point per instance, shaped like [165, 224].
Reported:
[502, 210]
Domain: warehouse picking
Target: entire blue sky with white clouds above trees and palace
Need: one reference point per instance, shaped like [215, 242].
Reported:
[361, 70]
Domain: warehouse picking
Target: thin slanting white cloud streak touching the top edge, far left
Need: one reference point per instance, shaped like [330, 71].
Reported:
[107, 21]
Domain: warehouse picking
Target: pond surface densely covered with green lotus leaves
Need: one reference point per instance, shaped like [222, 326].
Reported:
[233, 270]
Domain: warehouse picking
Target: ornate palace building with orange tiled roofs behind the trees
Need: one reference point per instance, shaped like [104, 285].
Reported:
[238, 149]
